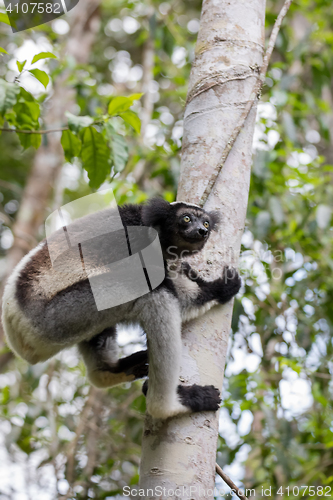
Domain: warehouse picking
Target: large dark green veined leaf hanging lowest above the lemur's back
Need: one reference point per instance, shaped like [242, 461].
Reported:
[95, 156]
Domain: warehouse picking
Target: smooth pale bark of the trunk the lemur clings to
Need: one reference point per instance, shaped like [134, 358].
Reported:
[182, 452]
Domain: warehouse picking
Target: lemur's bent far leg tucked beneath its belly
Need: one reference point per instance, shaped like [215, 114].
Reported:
[104, 369]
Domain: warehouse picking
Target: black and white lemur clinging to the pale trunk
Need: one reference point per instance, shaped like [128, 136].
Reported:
[45, 311]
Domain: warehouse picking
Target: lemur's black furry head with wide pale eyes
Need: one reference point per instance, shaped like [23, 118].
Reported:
[183, 228]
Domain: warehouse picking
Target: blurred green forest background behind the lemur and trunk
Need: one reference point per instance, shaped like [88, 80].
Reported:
[276, 423]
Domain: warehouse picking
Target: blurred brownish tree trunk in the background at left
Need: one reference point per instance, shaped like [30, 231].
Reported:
[49, 157]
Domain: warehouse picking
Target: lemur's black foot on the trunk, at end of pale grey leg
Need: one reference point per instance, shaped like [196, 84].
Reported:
[199, 397]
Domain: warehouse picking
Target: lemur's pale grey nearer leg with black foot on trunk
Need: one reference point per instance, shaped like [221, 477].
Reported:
[161, 320]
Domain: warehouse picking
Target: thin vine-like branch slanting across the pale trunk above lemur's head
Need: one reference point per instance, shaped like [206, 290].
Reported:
[253, 97]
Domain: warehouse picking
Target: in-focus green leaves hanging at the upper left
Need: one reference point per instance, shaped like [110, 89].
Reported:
[98, 151]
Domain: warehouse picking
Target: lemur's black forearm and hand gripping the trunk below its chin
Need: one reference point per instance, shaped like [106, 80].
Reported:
[221, 289]
